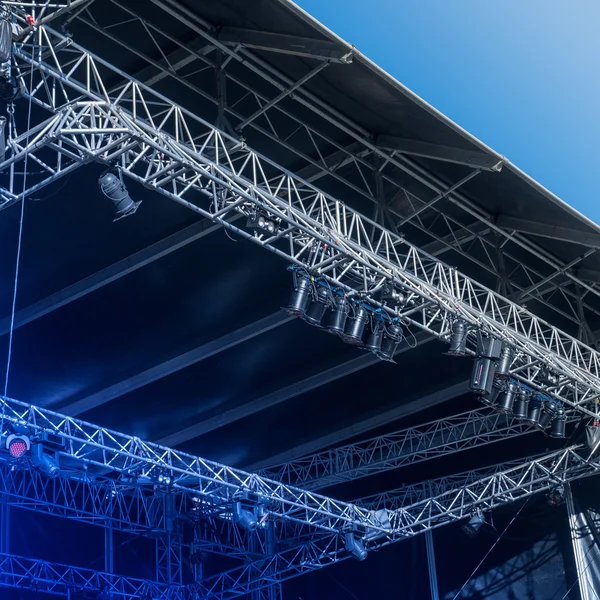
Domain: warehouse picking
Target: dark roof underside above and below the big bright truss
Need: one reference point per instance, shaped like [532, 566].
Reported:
[184, 341]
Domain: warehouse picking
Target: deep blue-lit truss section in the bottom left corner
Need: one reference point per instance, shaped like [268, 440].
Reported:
[63, 580]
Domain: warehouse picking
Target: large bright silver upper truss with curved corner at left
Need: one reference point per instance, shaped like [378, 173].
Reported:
[99, 113]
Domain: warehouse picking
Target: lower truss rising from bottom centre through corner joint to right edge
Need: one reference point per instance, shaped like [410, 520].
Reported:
[307, 554]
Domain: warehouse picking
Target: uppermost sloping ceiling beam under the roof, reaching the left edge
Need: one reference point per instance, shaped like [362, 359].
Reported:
[110, 274]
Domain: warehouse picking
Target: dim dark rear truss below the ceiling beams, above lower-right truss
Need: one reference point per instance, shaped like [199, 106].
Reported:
[394, 450]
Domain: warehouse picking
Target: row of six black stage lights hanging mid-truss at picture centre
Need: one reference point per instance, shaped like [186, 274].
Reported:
[320, 305]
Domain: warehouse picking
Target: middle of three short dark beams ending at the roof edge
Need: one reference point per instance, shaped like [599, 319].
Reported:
[469, 158]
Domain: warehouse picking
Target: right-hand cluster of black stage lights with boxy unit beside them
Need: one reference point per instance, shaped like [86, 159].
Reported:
[491, 383]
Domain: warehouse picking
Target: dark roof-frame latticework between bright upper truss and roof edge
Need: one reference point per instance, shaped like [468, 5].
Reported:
[364, 166]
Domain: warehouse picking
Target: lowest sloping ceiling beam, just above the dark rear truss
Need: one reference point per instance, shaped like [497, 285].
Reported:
[364, 426]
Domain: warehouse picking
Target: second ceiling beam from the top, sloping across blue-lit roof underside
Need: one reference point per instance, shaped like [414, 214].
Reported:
[177, 363]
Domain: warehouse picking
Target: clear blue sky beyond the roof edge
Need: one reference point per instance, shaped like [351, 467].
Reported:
[521, 75]
